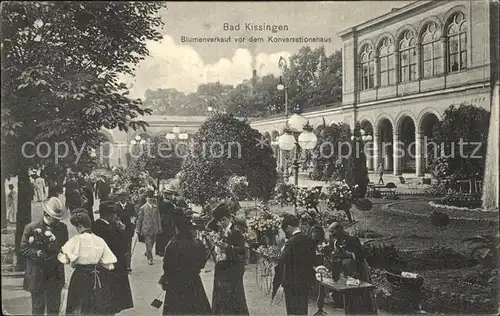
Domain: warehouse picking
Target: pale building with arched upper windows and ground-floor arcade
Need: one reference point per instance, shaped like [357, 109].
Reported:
[401, 71]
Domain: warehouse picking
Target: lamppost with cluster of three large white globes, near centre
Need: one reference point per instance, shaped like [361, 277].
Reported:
[298, 134]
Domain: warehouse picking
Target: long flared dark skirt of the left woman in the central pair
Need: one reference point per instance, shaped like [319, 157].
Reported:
[185, 295]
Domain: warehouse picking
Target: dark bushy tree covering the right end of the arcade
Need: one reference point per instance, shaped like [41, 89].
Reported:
[447, 161]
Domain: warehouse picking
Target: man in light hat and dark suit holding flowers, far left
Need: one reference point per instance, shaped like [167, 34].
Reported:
[44, 274]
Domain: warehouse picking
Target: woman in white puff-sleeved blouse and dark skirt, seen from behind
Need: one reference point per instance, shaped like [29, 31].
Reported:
[89, 288]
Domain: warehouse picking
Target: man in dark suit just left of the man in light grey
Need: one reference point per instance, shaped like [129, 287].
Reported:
[126, 213]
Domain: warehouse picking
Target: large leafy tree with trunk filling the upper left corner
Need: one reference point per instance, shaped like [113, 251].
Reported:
[60, 68]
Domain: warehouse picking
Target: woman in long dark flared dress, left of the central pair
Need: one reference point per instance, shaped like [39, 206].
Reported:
[183, 260]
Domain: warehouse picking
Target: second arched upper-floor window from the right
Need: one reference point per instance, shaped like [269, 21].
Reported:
[431, 51]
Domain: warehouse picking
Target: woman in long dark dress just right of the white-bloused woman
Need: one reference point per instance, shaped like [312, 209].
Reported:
[111, 229]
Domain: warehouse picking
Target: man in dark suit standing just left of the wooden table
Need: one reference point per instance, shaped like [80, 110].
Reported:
[297, 263]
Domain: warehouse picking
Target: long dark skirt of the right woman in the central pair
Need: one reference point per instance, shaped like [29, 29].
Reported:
[229, 294]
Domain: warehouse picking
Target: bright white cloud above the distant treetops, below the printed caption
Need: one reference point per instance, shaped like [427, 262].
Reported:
[179, 66]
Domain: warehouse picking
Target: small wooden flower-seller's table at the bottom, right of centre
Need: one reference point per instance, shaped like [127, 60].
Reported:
[339, 286]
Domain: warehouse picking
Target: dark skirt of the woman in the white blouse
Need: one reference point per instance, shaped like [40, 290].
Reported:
[89, 291]
